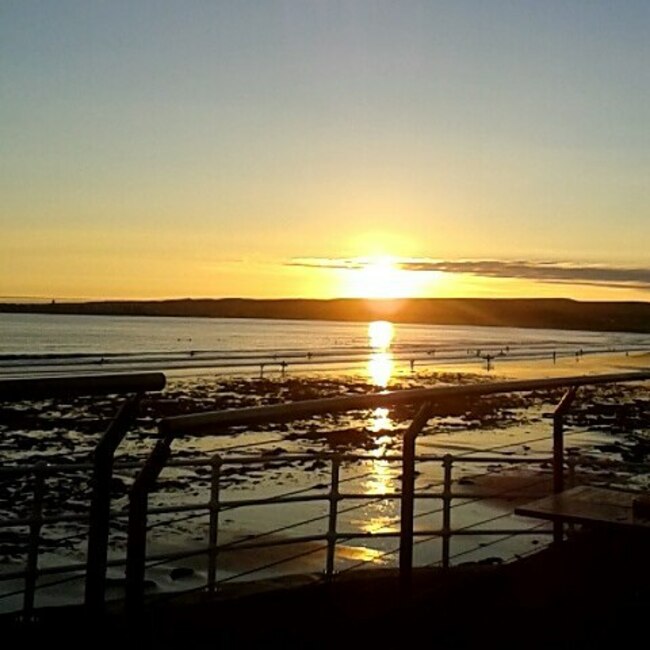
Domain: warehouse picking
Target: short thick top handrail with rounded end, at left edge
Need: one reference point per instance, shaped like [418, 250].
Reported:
[77, 385]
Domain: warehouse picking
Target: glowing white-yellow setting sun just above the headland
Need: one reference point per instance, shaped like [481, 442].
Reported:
[381, 277]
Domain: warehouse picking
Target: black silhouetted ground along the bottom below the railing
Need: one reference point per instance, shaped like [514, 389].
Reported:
[590, 592]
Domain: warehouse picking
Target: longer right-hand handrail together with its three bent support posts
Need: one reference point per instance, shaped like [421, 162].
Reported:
[212, 423]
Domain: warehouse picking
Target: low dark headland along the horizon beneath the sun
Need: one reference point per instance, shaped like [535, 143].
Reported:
[542, 313]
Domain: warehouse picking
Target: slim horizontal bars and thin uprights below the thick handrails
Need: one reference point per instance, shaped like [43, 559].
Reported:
[330, 534]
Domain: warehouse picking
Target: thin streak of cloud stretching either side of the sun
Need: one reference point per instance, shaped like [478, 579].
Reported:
[548, 272]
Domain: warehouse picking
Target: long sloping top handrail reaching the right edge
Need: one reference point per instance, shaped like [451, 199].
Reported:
[200, 422]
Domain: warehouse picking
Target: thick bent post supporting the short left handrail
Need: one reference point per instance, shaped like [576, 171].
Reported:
[99, 522]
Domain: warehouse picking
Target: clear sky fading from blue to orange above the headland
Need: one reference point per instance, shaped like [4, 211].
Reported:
[163, 149]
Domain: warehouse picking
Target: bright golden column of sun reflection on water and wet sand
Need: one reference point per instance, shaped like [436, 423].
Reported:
[380, 516]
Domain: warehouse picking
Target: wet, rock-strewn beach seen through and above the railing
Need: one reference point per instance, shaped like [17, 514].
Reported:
[607, 433]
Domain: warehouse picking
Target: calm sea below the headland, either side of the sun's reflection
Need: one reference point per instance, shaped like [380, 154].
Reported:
[53, 344]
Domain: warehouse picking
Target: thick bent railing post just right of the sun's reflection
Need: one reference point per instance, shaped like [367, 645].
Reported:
[408, 493]
